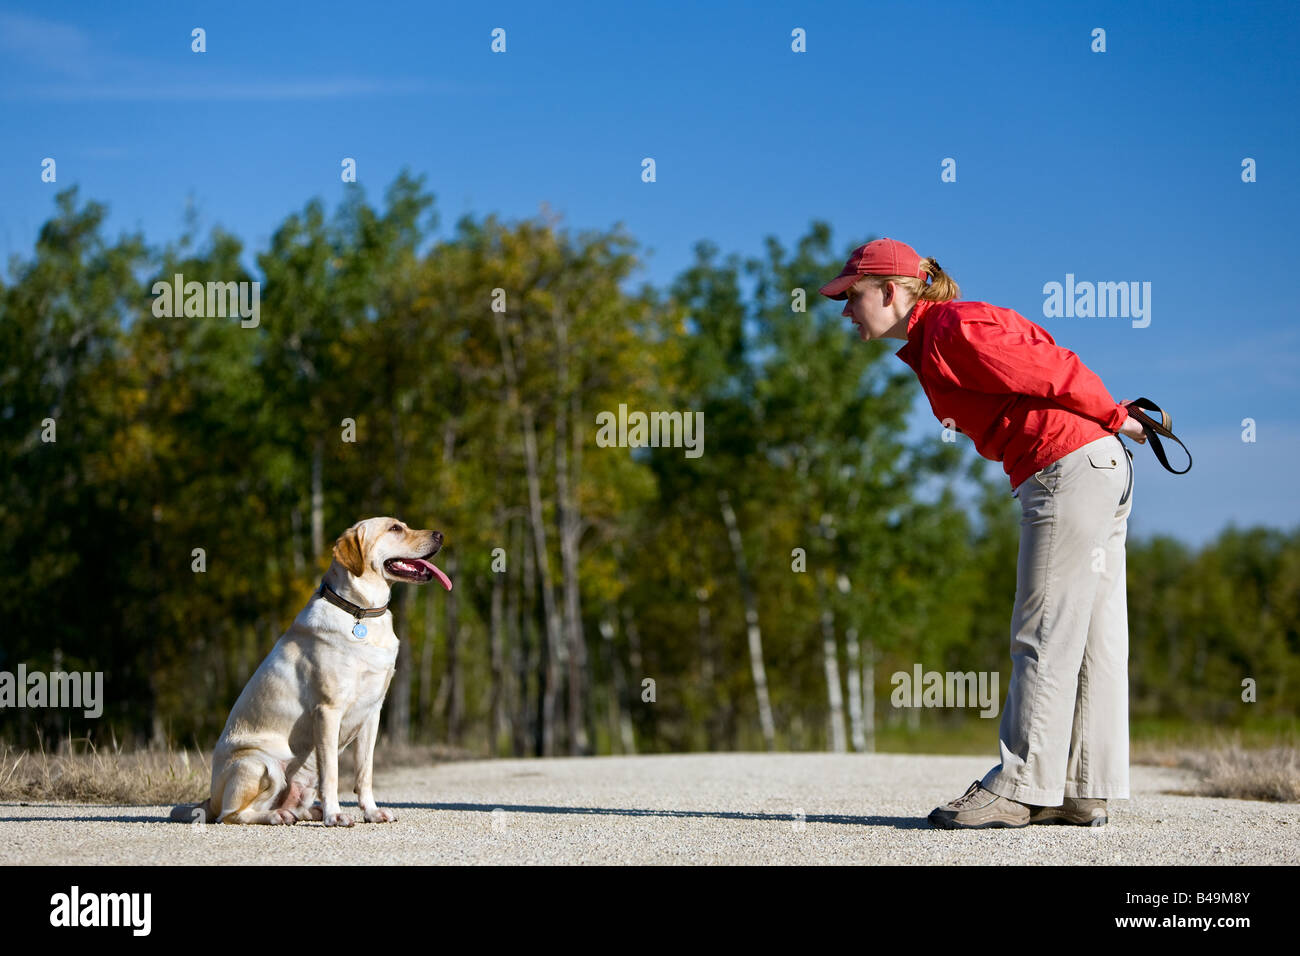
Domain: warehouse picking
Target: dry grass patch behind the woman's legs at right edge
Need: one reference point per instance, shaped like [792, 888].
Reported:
[1229, 769]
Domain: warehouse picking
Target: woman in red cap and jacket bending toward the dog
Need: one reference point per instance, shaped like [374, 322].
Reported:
[998, 378]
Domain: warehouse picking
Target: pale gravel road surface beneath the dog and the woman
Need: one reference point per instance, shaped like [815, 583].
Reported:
[736, 808]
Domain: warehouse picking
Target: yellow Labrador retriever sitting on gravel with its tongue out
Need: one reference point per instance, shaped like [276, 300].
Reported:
[320, 689]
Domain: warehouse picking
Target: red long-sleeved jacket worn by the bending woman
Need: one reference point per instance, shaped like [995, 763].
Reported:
[1006, 383]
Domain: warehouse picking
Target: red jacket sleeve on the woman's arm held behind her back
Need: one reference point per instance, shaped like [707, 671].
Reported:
[990, 357]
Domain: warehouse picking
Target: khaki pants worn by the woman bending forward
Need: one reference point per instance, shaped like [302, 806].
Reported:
[1065, 725]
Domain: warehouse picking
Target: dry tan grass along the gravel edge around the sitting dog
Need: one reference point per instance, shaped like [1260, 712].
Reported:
[84, 773]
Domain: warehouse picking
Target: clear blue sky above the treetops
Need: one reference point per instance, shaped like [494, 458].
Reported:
[1124, 166]
